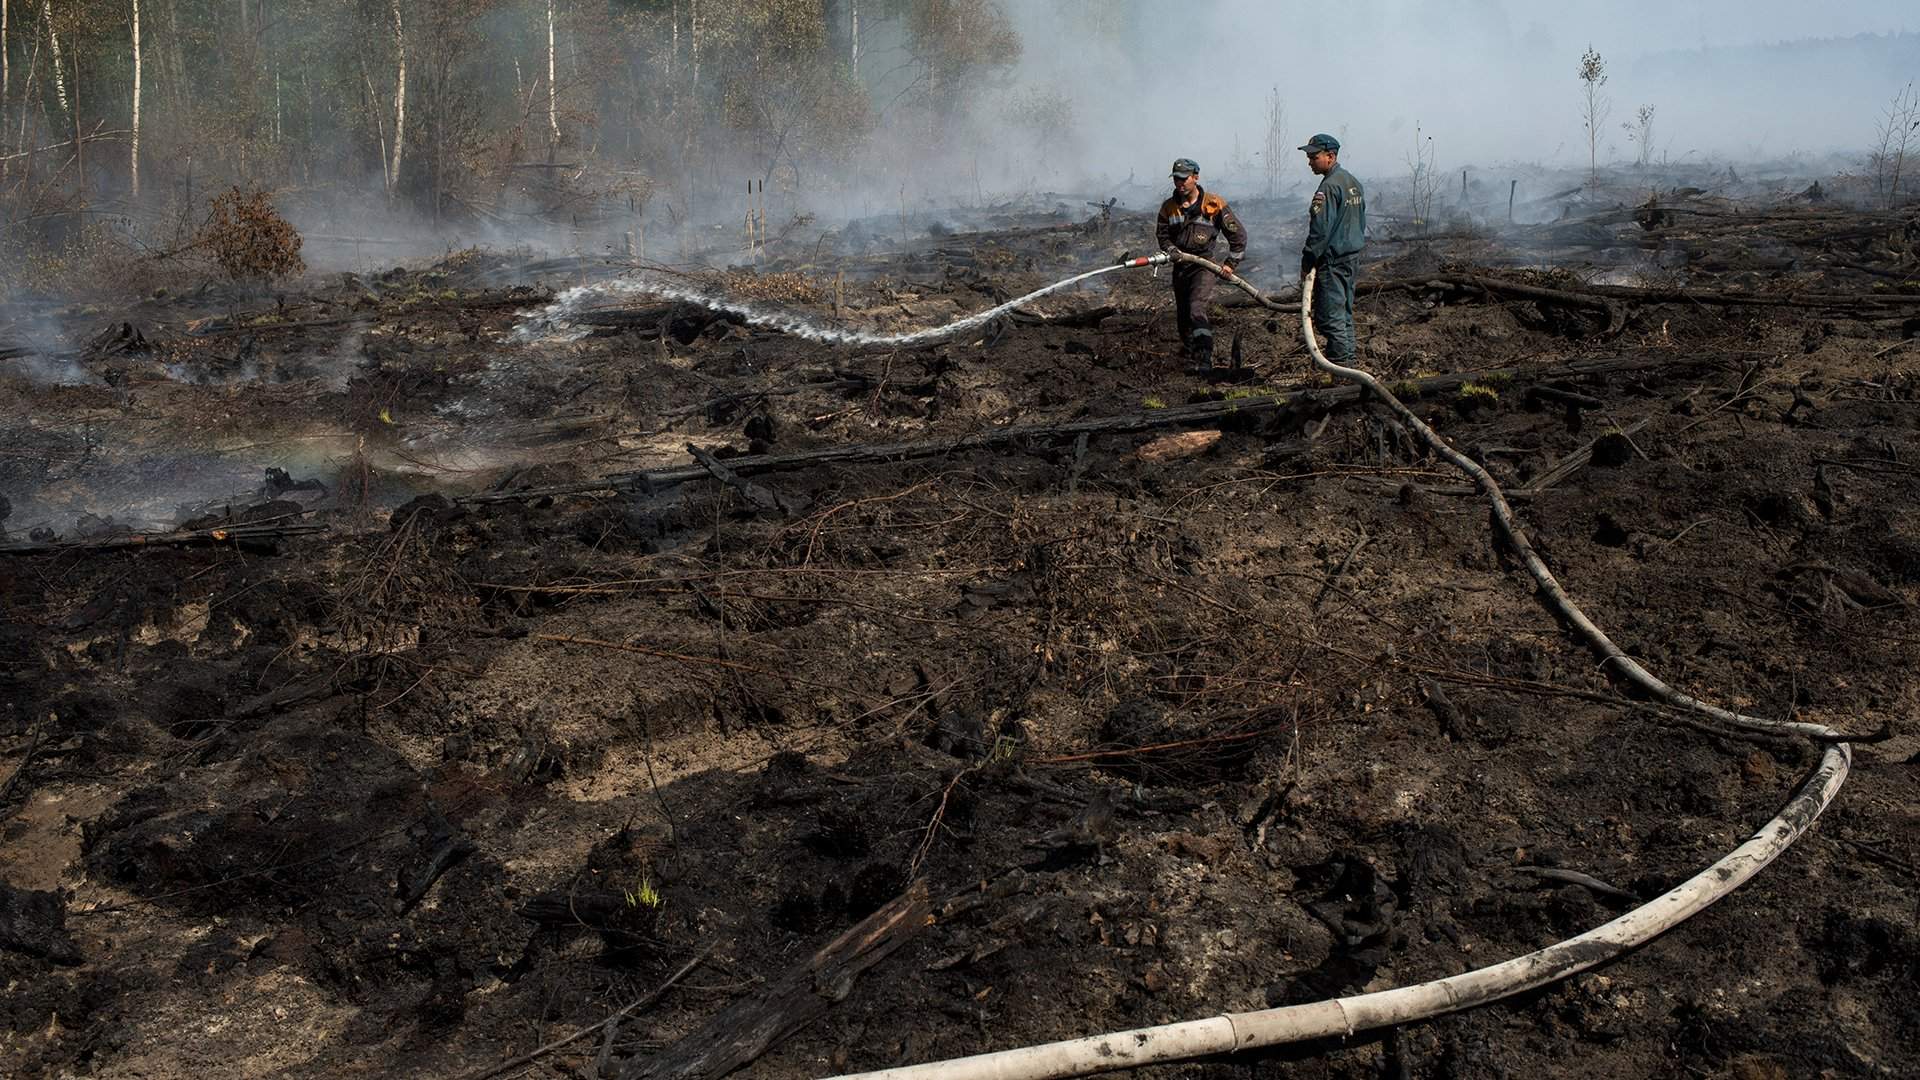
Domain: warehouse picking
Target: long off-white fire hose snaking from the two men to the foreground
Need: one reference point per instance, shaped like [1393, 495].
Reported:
[1347, 1016]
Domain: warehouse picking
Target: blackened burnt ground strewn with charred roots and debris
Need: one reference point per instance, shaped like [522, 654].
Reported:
[1163, 729]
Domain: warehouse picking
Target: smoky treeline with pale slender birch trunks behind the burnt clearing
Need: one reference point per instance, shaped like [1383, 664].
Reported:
[487, 110]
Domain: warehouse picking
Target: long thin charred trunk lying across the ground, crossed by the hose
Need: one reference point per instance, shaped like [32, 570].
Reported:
[1180, 416]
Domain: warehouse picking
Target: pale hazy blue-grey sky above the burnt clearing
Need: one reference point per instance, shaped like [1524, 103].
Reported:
[1491, 82]
